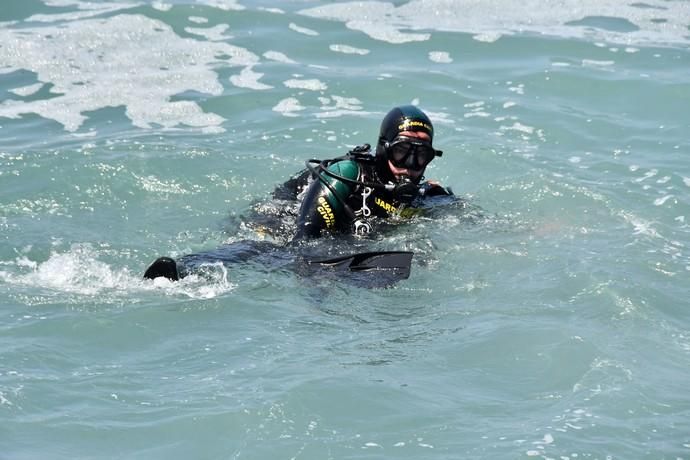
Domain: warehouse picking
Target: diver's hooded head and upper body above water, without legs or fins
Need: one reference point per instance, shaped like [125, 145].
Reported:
[344, 194]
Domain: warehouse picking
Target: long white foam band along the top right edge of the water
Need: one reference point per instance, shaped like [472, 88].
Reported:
[651, 22]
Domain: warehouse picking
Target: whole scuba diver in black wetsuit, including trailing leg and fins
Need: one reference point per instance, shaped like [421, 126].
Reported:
[351, 194]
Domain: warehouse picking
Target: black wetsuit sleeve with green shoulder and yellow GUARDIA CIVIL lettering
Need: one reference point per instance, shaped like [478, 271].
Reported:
[324, 206]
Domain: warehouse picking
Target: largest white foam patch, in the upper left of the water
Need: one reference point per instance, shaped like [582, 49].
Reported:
[127, 60]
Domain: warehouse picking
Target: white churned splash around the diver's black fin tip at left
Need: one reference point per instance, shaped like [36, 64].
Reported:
[79, 271]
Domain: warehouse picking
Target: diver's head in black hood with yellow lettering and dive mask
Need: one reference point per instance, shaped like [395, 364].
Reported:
[404, 147]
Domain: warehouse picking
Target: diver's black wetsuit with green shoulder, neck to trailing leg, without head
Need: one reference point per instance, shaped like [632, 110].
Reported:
[352, 199]
